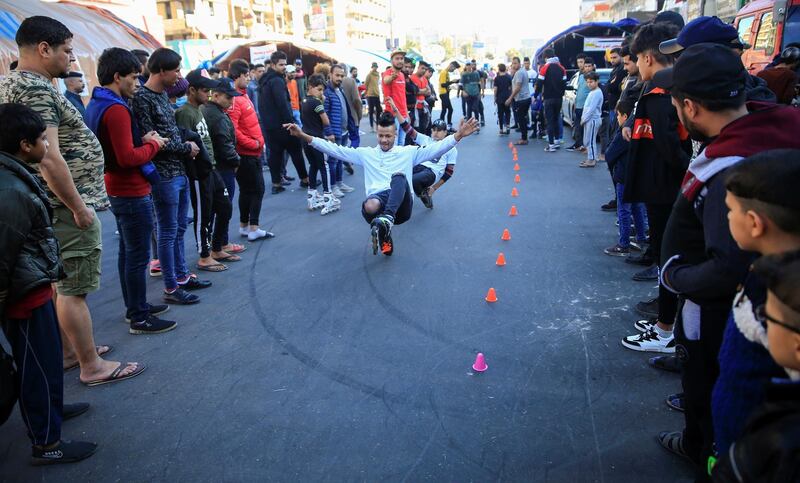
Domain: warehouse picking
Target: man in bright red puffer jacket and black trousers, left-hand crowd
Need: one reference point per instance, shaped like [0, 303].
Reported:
[249, 145]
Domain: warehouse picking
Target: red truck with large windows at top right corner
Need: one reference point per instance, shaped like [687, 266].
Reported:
[768, 26]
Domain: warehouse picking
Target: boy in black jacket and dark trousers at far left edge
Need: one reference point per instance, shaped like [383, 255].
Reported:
[29, 265]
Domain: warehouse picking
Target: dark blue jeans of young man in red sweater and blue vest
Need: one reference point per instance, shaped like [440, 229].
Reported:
[135, 224]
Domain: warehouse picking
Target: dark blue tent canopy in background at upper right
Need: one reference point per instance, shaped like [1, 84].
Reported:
[569, 43]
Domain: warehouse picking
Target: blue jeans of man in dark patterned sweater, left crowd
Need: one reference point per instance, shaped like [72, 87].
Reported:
[171, 198]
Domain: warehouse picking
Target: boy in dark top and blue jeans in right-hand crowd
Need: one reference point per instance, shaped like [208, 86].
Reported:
[617, 158]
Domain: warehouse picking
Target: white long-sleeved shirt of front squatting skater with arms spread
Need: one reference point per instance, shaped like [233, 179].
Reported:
[380, 165]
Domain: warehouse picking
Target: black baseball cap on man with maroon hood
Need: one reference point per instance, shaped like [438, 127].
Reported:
[706, 71]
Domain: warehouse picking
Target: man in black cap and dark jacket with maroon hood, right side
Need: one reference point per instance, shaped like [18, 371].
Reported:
[700, 260]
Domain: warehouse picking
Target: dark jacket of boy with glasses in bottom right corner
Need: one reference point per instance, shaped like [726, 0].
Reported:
[769, 449]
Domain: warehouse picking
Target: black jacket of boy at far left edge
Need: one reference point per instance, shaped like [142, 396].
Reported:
[29, 258]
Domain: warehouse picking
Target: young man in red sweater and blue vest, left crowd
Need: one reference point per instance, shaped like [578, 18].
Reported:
[126, 151]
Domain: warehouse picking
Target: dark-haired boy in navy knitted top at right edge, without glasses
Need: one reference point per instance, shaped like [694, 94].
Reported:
[764, 217]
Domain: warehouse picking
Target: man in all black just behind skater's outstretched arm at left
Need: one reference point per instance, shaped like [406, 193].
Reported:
[275, 105]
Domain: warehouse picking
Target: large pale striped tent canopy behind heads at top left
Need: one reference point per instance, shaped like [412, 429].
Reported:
[95, 30]
